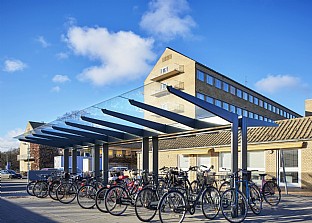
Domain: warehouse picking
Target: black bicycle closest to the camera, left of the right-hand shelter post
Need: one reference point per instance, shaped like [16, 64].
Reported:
[177, 201]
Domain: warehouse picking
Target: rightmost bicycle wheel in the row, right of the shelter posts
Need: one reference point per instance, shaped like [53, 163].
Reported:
[271, 193]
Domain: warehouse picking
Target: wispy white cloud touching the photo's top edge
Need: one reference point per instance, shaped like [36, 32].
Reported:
[167, 19]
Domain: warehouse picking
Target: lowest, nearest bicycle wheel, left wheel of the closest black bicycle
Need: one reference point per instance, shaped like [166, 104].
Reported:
[172, 207]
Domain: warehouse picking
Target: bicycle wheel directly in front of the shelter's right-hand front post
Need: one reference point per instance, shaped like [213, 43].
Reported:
[233, 205]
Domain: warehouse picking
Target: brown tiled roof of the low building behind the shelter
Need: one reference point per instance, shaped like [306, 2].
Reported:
[298, 129]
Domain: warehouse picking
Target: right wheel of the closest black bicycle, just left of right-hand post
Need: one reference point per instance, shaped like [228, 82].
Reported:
[210, 202]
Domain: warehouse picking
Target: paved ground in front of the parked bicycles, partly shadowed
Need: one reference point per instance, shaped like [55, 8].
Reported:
[16, 206]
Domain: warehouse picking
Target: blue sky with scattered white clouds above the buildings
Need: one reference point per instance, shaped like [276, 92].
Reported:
[61, 56]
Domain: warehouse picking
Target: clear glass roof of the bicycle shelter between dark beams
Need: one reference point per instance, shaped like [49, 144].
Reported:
[154, 94]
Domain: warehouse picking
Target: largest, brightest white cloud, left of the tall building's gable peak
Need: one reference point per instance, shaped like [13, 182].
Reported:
[122, 55]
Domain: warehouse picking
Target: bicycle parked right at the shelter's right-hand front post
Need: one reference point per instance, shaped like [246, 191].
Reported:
[234, 203]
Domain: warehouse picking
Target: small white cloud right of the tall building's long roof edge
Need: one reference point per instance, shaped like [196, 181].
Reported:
[275, 83]
